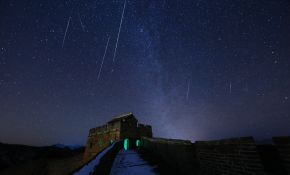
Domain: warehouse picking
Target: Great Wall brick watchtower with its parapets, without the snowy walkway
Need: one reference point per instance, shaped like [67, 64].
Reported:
[227, 156]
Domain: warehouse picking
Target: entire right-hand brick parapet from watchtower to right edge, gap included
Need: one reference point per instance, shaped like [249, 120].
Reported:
[227, 156]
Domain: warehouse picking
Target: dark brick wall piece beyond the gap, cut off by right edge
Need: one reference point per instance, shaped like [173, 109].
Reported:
[283, 146]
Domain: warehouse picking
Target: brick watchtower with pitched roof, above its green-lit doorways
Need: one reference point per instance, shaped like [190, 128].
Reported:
[125, 126]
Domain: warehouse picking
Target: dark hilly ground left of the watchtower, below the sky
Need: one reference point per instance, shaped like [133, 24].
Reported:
[49, 160]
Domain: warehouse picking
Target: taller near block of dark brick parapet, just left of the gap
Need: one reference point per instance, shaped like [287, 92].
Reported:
[229, 156]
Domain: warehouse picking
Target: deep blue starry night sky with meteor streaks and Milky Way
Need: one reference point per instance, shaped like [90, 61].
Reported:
[193, 69]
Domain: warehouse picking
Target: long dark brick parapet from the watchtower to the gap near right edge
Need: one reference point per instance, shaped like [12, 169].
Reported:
[228, 156]
